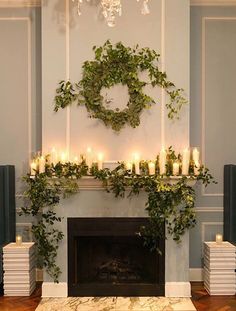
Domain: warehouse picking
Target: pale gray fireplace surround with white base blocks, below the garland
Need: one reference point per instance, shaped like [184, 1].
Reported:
[93, 201]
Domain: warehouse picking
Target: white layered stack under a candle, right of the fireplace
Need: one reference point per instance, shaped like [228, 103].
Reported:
[219, 268]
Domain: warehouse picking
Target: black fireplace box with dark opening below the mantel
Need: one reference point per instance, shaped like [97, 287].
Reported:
[106, 257]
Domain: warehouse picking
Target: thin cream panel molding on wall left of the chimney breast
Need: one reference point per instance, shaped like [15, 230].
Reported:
[29, 74]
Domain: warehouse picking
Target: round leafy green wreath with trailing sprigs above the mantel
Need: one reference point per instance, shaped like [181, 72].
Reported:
[113, 65]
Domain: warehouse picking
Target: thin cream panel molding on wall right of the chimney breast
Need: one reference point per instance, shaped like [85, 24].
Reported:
[203, 97]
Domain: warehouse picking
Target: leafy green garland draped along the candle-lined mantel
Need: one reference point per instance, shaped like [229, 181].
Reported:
[167, 203]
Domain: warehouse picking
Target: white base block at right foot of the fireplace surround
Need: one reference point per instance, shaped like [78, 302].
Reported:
[177, 289]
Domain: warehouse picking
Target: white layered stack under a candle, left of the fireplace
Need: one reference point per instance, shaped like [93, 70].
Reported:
[19, 269]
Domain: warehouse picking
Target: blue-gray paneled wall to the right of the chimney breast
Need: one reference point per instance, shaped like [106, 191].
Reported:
[212, 112]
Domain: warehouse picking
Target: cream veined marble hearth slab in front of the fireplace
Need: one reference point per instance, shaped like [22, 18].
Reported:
[116, 304]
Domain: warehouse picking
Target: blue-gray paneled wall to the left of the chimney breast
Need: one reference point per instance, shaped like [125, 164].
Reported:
[20, 93]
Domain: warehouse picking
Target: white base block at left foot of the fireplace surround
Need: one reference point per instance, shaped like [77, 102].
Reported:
[51, 289]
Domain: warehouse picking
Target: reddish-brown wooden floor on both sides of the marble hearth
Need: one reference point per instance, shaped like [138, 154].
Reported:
[201, 300]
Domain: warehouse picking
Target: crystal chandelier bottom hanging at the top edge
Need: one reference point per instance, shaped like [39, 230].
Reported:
[112, 8]
